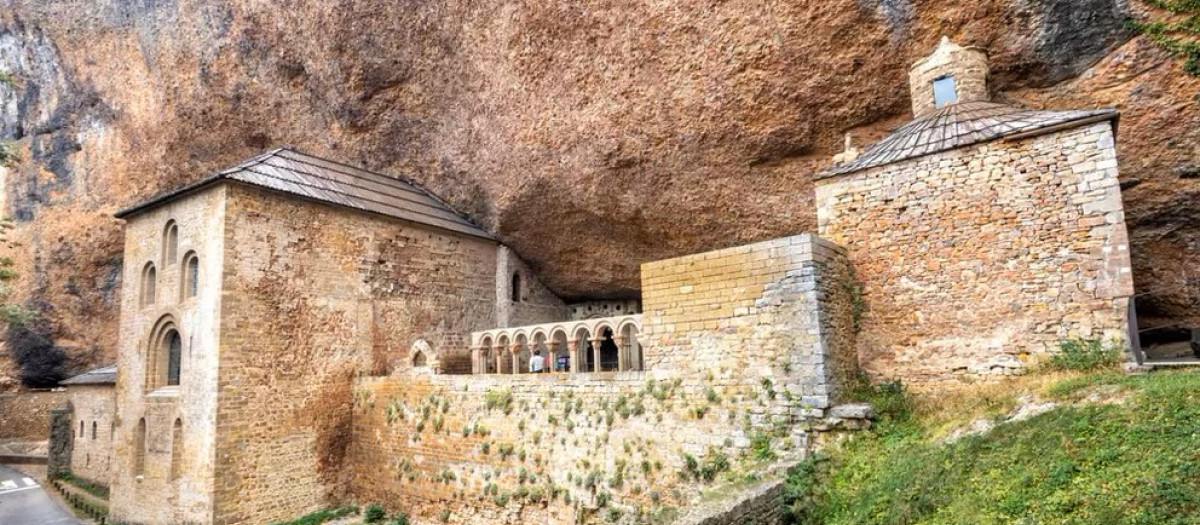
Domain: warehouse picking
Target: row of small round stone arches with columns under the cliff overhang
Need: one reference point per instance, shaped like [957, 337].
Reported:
[605, 345]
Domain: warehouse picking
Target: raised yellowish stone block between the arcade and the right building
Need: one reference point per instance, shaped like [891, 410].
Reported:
[770, 311]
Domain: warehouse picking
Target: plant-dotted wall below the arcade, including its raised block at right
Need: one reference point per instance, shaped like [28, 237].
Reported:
[566, 449]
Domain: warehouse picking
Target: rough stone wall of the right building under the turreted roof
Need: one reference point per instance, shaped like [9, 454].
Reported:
[976, 262]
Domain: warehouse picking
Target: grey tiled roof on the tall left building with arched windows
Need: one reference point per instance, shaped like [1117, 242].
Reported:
[327, 182]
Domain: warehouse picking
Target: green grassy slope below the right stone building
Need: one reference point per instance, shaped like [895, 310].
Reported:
[1132, 462]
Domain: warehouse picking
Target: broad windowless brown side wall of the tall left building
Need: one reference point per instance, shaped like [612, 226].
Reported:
[316, 295]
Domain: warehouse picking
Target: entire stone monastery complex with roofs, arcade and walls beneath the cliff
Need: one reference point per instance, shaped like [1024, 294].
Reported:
[297, 333]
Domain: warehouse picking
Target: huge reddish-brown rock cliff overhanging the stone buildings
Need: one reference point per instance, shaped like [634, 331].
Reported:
[591, 137]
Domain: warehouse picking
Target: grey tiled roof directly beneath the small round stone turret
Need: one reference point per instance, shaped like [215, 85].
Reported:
[963, 125]
